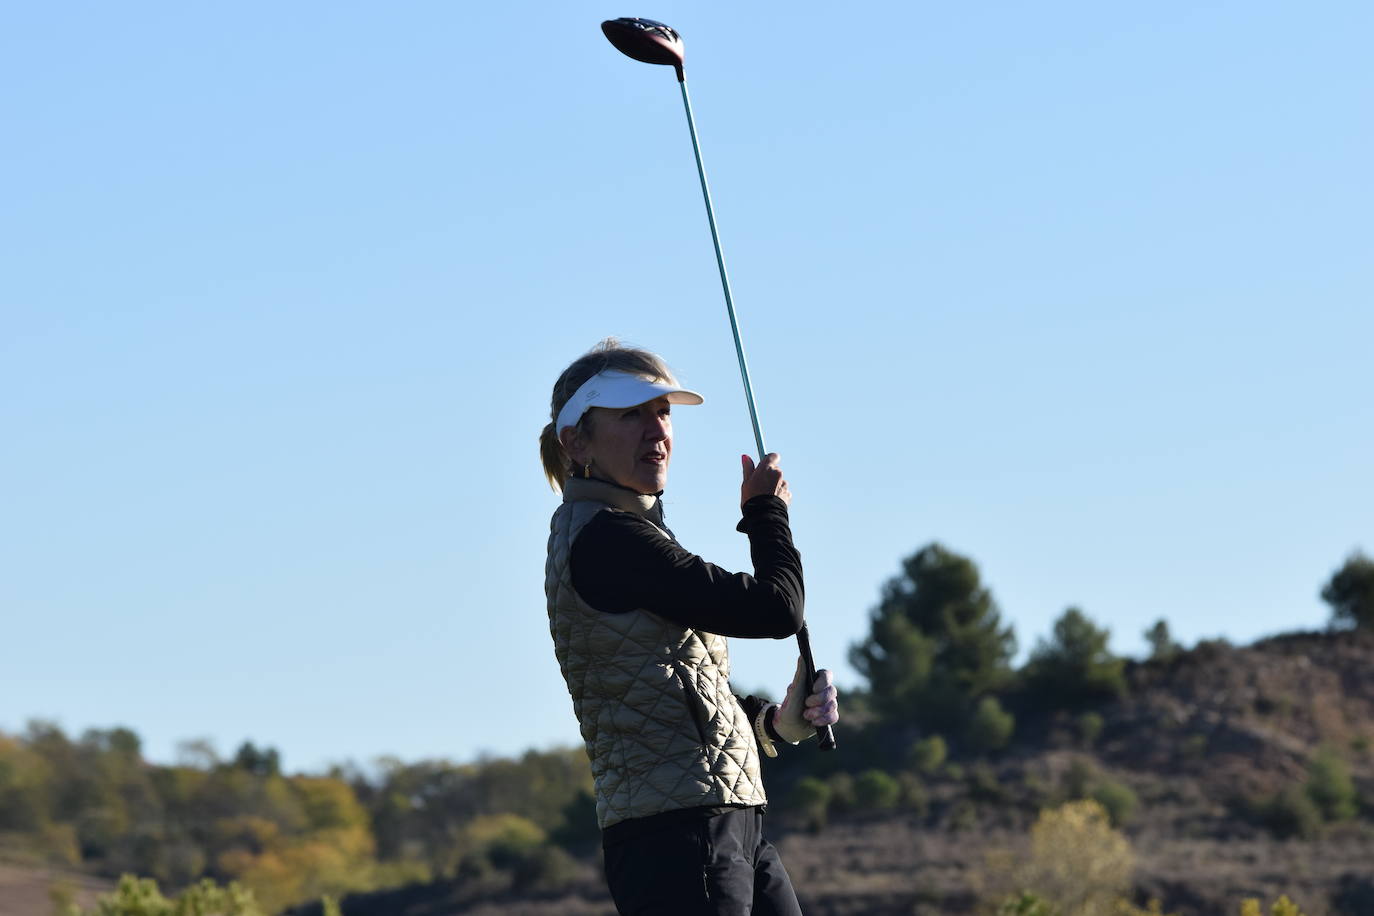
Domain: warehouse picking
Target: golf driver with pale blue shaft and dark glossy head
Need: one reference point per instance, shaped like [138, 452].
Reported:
[652, 42]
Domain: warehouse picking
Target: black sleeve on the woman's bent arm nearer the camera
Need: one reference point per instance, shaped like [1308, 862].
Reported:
[622, 562]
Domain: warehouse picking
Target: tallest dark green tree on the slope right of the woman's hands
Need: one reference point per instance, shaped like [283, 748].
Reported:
[936, 642]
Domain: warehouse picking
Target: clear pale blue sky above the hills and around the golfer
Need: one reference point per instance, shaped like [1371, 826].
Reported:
[1082, 292]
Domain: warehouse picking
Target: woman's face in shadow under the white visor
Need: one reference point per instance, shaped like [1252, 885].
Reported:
[631, 446]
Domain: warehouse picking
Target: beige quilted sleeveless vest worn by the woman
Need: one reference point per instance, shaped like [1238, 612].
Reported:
[653, 698]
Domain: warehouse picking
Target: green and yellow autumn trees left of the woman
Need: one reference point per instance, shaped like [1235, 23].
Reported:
[95, 803]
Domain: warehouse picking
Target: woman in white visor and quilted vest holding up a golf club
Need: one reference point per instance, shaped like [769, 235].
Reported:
[640, 630]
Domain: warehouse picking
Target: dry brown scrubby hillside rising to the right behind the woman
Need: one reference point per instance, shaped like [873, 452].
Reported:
[1204, 742]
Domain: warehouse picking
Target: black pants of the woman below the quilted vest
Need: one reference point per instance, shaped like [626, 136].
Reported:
[701, 866]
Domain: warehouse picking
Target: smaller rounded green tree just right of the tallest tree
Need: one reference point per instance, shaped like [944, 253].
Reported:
[1075, 667]
